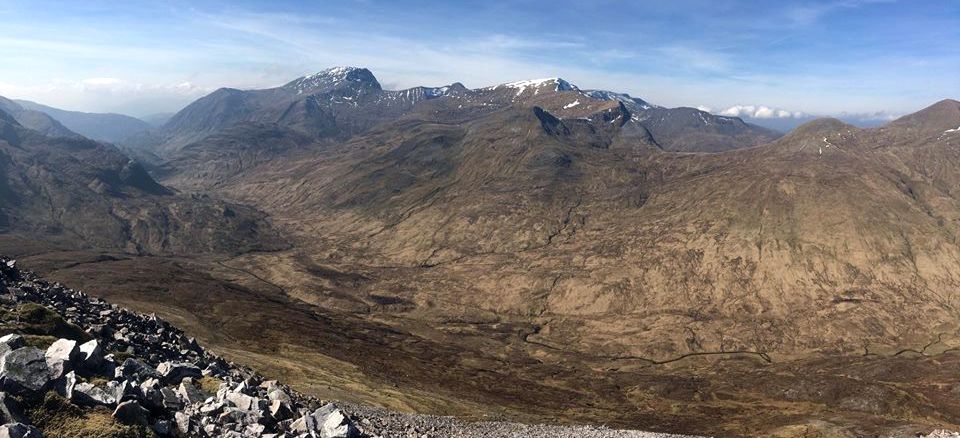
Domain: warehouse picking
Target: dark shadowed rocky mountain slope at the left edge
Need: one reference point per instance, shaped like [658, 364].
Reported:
[80, 193]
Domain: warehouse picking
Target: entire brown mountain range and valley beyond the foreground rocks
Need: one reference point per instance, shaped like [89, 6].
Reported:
[547, 252]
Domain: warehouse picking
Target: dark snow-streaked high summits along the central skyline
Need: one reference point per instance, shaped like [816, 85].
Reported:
[340, 102]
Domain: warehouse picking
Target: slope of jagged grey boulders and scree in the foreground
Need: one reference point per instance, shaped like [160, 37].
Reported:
[157, 381]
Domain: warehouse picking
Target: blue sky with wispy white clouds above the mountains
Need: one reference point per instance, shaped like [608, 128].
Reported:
[763, 59]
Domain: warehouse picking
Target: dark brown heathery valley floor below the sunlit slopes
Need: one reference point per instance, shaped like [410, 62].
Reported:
[492, 376]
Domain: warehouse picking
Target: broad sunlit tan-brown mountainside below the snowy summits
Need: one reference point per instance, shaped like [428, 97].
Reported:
[739, 243]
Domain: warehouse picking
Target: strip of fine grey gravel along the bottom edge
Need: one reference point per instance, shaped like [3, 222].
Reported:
[376, 422]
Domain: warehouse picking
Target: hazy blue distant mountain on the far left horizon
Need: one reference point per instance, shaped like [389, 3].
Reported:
[98, 126]
